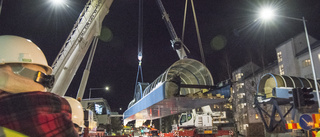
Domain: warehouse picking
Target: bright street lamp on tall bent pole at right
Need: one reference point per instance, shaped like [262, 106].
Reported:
[267, 14]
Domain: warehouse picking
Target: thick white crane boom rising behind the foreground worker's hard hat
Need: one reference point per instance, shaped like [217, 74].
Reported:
[75, 47]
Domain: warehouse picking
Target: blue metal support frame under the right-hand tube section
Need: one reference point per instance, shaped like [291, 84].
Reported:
[273, 123]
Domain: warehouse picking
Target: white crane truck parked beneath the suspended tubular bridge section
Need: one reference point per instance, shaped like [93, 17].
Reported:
[204, 121]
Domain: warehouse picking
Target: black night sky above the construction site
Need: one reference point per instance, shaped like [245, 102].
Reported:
[115, 62]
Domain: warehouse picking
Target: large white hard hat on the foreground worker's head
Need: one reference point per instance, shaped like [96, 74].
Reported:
[15, 49]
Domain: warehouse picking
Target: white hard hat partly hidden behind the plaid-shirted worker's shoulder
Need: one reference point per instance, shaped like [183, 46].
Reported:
[77, 111]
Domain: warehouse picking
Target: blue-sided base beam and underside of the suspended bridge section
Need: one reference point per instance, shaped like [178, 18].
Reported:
[155, 105]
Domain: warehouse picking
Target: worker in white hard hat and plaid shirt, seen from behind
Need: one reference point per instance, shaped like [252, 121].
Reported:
[25, 106]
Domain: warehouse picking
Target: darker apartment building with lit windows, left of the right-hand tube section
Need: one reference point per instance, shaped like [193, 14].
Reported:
[244, 89]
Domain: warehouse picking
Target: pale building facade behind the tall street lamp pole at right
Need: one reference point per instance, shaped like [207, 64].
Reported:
[293, 56]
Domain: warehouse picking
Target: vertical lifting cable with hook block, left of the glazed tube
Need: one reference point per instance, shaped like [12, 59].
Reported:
[140, 42]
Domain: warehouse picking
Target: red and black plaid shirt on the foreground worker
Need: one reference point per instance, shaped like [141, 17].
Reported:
[37, 114]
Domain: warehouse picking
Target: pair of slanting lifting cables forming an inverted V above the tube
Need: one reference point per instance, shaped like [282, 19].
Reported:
[197, 28]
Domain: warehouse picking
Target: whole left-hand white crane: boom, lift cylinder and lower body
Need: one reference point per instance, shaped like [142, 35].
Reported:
[84, 33]
